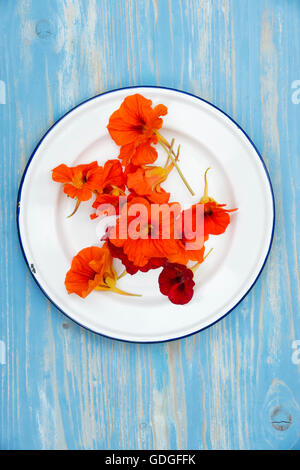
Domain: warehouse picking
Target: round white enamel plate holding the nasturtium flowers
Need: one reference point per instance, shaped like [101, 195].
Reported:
[238, 178]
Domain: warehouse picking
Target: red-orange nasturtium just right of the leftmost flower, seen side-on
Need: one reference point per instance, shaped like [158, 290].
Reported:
[111, 186]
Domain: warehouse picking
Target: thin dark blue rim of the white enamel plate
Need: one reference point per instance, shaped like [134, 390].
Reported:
[132, 88]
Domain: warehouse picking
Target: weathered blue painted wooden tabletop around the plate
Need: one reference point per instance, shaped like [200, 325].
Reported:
[233, 386]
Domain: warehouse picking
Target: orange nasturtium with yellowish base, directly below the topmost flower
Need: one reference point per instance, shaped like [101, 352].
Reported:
[146, 181]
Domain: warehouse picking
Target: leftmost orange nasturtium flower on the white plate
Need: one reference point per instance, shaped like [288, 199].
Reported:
[79, 181]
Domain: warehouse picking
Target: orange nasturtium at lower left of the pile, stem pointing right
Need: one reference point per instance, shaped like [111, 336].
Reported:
[92, 269]
